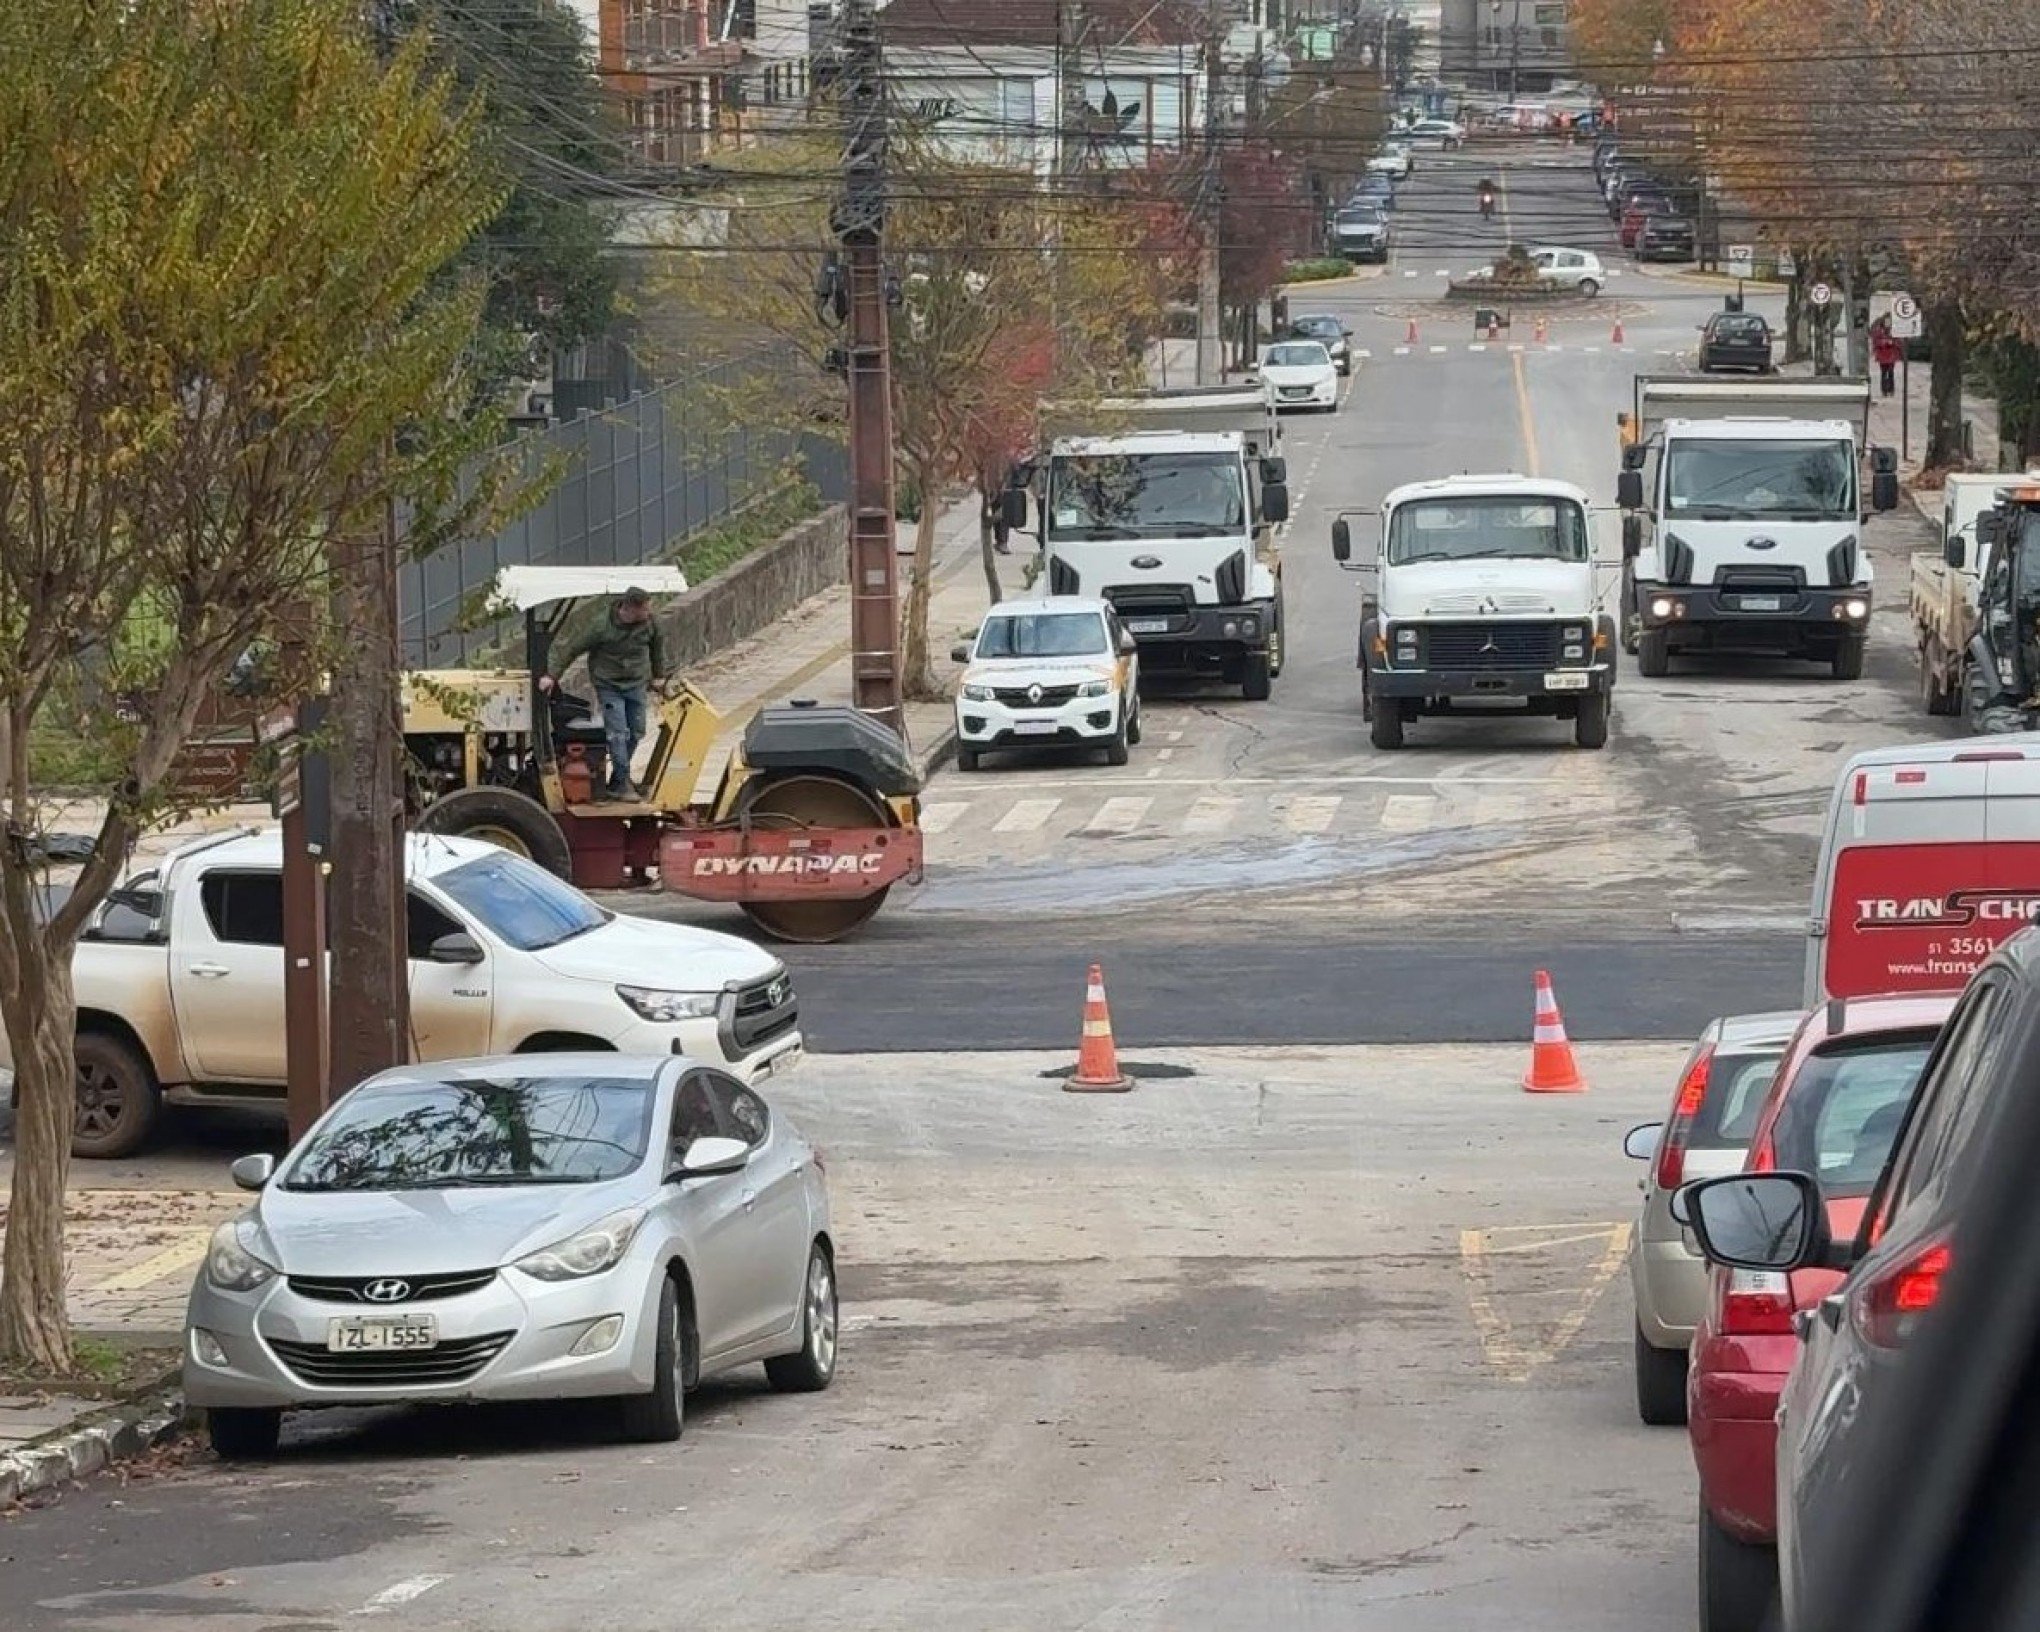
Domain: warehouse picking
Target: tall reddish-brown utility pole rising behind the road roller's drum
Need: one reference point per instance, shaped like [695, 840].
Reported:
[862, 227]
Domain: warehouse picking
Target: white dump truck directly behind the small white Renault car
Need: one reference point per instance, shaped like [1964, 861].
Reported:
[1166, 507]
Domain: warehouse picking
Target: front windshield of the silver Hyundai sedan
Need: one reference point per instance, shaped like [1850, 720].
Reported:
[517, 1131]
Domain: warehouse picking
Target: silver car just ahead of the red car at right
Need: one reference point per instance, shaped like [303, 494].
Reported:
[1706, 1133]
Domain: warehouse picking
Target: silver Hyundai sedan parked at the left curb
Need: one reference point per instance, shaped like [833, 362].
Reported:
[540, 1227]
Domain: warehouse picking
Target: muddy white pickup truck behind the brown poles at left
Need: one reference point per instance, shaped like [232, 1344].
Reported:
[181, 982]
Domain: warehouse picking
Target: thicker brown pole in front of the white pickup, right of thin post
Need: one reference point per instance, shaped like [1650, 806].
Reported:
[366, 892]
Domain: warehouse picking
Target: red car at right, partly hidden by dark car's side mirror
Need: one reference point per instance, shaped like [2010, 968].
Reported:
[1833, 1111]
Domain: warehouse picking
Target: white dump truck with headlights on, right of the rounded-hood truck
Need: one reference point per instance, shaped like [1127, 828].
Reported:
[1745, 519]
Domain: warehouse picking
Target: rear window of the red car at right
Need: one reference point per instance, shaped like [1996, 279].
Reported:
[1843, 1111]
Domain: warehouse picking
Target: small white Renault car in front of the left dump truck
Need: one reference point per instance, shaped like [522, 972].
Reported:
[1043, 674]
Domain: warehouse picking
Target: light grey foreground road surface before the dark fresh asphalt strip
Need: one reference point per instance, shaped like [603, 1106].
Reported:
[1298, 1341]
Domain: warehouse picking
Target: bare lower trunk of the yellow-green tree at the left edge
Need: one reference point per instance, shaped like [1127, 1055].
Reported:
[42, 1017]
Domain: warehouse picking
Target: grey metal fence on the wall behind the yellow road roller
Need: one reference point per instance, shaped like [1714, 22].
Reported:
[633, 482]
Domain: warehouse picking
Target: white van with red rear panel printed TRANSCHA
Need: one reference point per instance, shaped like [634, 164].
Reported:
[1931, 858]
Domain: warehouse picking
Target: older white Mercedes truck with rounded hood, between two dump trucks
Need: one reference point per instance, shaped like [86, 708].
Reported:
[1484, 599]
